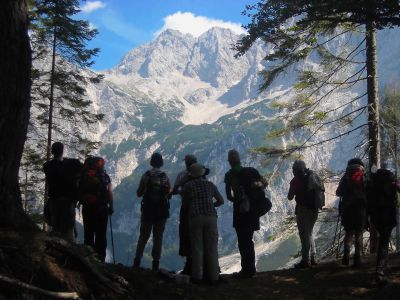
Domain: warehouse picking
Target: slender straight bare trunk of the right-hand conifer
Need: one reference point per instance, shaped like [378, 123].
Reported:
[374, 151]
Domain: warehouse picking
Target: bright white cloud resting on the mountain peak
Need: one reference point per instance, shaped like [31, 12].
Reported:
[187, 22]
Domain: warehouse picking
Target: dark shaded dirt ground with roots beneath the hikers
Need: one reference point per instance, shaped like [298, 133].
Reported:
[39, 260]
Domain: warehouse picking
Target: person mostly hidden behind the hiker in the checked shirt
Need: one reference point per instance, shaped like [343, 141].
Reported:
[184, 237]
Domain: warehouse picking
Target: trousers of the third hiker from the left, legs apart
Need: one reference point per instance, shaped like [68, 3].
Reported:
[146, 227]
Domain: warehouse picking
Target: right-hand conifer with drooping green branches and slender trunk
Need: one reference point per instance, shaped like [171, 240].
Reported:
[299, 29]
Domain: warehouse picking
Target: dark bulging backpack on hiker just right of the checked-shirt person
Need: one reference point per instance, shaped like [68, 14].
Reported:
[253, 192]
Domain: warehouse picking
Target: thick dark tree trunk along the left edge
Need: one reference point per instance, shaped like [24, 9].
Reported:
[15, 67]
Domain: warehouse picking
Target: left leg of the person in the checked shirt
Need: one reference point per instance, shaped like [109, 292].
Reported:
[196, 241]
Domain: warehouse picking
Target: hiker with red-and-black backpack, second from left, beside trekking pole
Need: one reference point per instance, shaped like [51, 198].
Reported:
[96, 197]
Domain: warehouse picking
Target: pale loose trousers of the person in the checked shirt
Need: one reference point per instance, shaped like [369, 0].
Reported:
[204, 243]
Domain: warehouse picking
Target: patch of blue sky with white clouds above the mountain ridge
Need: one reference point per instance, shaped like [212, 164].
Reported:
[125, 24]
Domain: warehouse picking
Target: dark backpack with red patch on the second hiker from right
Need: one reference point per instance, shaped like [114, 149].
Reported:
[355, 191]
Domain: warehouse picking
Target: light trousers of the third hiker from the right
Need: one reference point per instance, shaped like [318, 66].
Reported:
[306, 219]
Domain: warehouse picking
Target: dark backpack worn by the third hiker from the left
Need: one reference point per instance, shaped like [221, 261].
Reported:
[155, 203]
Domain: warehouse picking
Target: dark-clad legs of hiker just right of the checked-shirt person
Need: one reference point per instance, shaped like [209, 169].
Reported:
[246, 249]
